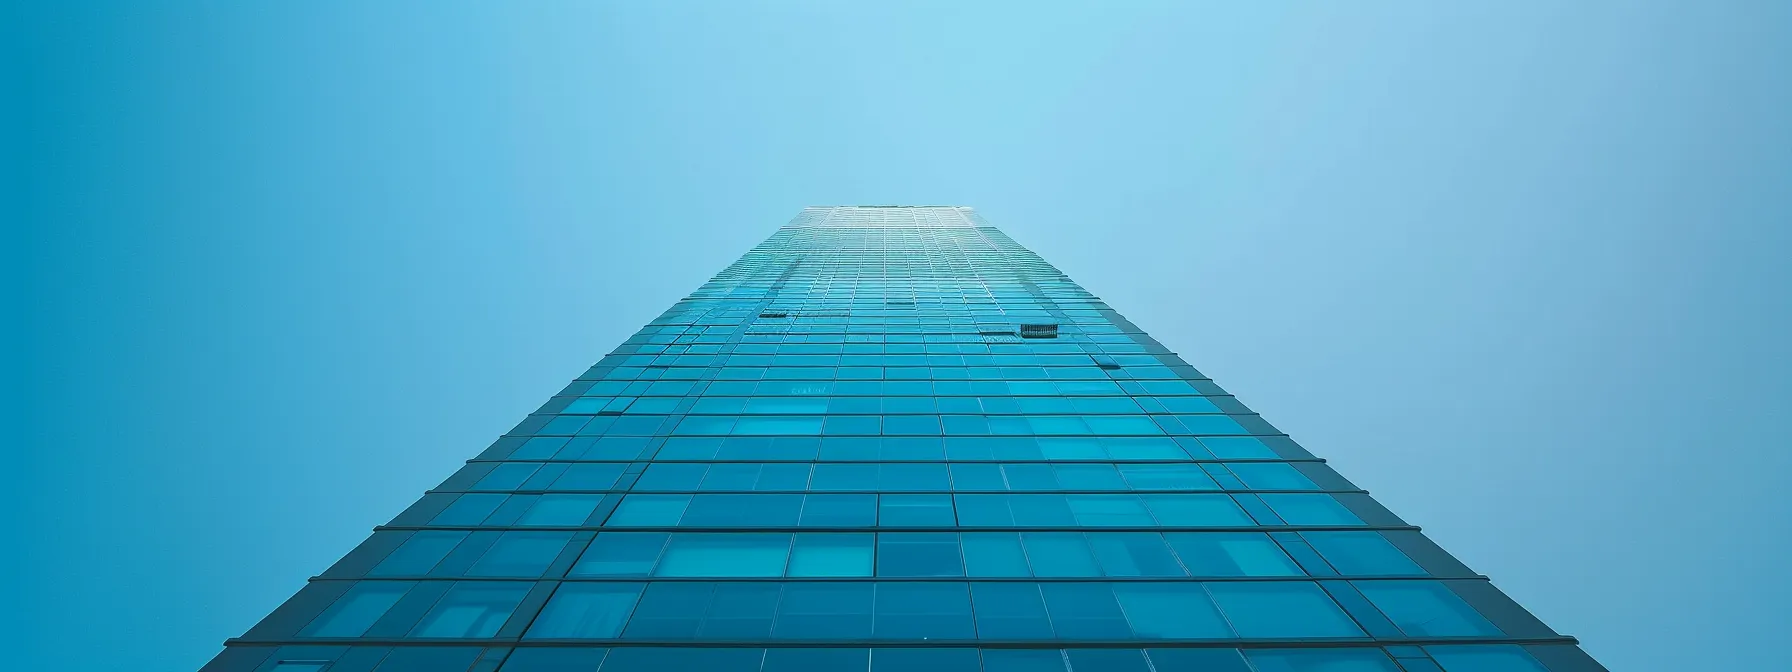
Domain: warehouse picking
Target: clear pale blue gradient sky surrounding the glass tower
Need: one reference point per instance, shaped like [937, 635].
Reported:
[1521, 270]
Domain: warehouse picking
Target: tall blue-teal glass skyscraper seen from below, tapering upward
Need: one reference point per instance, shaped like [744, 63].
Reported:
[893, 440]
